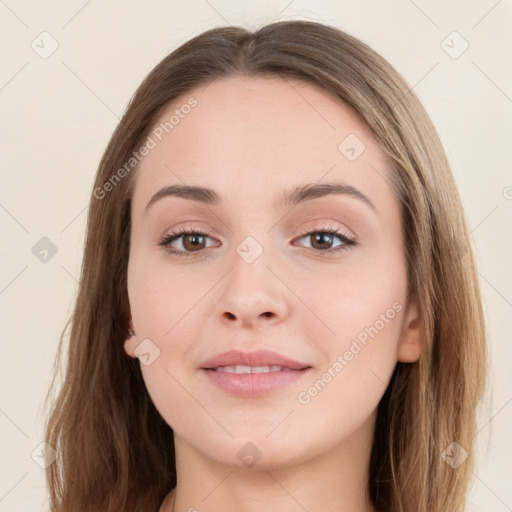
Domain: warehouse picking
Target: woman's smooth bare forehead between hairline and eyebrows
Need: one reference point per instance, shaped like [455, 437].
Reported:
[251, 137]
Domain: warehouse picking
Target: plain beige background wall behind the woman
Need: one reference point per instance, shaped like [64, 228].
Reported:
[57, 114]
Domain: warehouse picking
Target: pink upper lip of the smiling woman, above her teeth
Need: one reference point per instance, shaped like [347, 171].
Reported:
[257, 358]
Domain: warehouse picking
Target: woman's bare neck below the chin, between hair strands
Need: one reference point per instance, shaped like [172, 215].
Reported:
[334, 481]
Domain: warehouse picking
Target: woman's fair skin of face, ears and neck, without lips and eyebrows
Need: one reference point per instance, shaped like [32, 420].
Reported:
[250, 139]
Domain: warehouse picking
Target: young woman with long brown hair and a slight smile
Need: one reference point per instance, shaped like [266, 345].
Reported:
[275, 234]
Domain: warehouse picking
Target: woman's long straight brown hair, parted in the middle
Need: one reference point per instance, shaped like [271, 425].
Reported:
[115, 451]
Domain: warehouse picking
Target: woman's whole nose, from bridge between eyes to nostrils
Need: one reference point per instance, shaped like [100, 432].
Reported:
[250, 291]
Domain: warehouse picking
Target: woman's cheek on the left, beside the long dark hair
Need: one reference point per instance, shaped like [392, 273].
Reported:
[167, 308]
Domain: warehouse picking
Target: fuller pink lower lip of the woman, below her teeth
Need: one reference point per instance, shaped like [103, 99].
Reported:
[254, 384]
